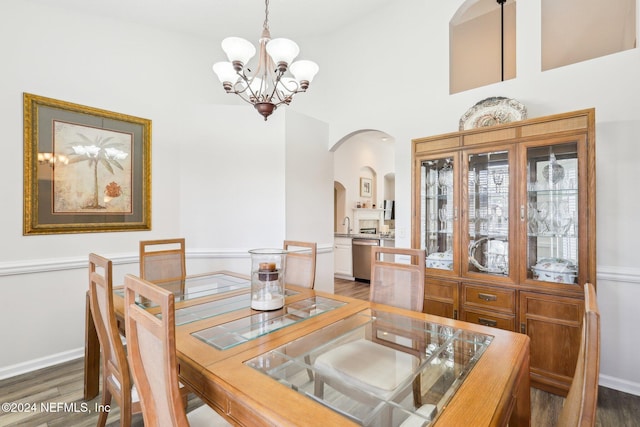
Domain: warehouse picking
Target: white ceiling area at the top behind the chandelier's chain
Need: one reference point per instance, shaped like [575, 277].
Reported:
[216, 19]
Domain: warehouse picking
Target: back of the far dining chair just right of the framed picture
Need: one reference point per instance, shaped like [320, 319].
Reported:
[162, 260]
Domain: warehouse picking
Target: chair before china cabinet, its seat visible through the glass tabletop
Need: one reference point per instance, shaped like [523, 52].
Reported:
[394, 283]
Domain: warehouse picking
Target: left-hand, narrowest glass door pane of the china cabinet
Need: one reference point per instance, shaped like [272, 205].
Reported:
[438, 212]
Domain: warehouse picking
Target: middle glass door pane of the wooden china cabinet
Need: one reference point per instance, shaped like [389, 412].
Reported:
[488, 178]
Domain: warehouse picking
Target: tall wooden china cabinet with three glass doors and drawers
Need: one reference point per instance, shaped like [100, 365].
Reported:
[506, 215]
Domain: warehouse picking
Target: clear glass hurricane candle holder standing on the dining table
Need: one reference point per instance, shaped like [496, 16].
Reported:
[267, 278]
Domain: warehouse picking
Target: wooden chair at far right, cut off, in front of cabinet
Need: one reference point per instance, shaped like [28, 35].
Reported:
[580, 406]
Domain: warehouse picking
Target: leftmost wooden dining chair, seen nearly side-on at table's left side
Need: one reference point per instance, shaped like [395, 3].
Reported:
[116, 379]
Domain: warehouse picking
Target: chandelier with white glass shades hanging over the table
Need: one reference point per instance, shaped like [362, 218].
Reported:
[269, 86]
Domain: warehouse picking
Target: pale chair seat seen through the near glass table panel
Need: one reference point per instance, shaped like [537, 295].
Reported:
[369, 366]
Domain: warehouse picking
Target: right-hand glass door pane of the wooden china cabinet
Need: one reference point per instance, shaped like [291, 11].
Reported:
[552, 213]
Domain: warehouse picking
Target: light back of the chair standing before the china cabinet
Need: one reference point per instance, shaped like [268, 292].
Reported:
[396, 283]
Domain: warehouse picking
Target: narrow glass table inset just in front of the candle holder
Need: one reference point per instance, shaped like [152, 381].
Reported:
[248, 328]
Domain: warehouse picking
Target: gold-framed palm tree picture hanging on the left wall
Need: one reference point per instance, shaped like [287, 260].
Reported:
[85, 169]
